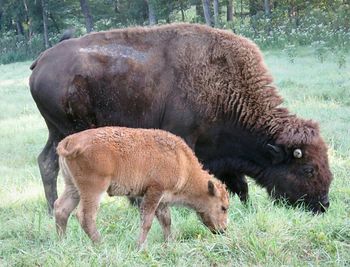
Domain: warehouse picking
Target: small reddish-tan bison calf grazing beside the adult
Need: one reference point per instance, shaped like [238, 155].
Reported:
[154, 164]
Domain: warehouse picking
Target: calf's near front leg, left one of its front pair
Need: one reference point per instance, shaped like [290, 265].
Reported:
[148, 208]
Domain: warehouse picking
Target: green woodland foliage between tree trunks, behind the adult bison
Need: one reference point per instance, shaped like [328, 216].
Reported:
[323, 25]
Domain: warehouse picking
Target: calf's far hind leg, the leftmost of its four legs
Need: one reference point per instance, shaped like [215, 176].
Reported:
[64, 206]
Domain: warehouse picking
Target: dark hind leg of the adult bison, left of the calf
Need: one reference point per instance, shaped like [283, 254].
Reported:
[48, 165]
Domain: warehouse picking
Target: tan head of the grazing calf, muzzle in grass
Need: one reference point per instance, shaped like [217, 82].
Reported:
[215, 207]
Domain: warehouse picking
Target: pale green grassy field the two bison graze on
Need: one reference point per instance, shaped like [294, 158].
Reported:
[258, 234]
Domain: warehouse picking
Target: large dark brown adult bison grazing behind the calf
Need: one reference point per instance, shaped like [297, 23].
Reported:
[208, 86]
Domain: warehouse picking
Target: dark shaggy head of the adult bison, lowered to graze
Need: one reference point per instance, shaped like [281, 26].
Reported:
[299, 171]
